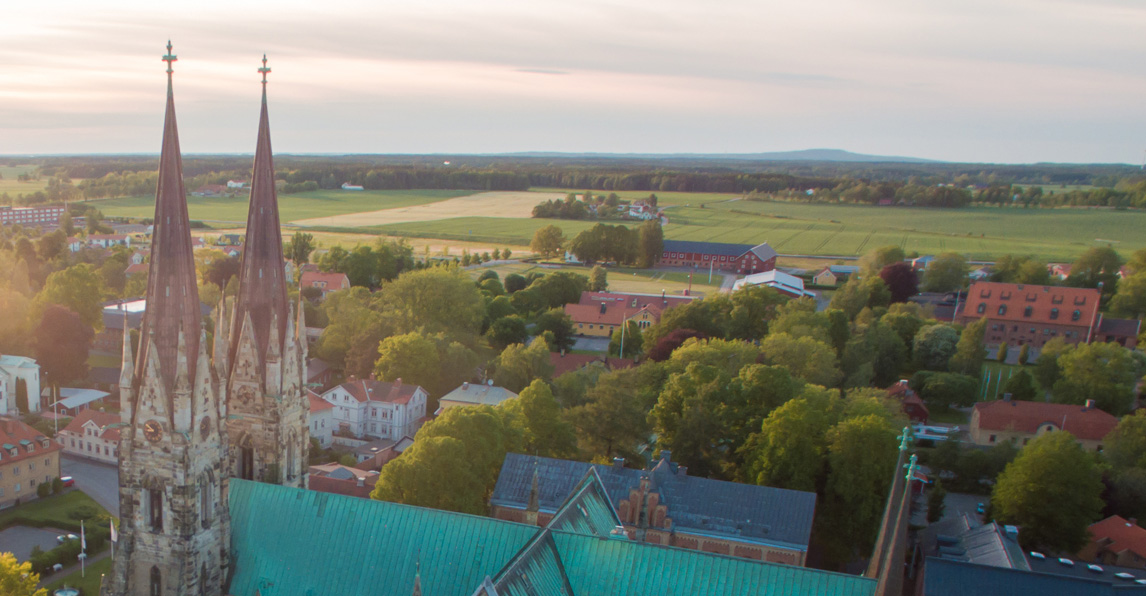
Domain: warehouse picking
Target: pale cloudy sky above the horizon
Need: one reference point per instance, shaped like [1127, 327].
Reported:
[970, 81]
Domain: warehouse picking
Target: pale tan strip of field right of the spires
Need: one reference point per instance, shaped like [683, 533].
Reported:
[498, 205]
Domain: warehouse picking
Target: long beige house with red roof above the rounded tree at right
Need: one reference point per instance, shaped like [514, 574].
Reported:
[1007, 420]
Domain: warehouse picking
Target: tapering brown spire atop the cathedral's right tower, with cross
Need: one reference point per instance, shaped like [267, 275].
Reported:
[262, 285]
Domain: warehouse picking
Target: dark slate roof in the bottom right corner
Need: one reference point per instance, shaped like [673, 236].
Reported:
[954, 578]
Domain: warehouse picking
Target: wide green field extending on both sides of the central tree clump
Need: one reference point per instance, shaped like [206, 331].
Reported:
[849, 231]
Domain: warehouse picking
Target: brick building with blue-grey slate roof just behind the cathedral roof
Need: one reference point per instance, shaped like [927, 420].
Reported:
[668, 507]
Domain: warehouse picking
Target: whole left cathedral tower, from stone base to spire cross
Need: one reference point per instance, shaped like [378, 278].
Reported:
[175, 523]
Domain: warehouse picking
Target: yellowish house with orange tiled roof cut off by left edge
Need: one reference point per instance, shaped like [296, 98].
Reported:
[27, 459]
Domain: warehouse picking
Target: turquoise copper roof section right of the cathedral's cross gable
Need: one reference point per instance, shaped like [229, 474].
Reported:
[595, 566]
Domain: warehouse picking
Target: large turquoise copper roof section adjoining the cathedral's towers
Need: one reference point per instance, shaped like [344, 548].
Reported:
[289, 542]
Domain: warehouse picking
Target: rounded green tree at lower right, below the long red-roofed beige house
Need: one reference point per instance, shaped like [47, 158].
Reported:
[1051, 465]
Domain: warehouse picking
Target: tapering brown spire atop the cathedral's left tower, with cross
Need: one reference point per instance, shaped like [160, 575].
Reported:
[172, 295]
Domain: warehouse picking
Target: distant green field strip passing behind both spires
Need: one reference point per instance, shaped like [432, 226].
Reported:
[303, 206]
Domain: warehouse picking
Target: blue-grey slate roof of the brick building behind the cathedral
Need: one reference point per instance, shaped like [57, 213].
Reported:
[697, 506]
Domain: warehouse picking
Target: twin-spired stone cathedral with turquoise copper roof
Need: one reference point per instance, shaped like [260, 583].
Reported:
[213, 465]
